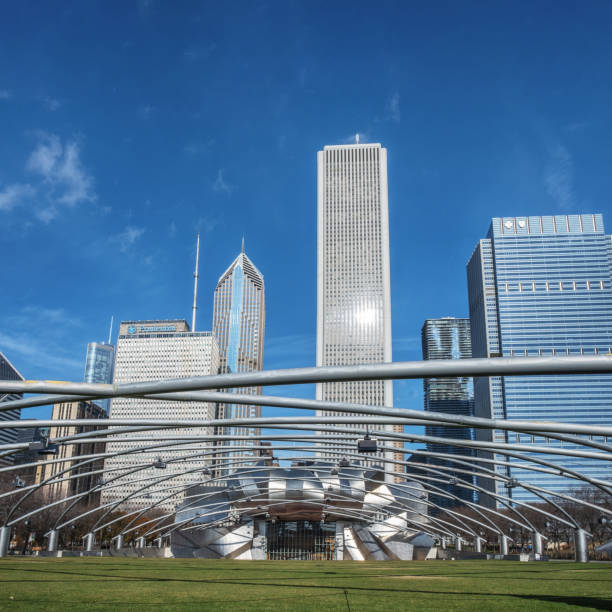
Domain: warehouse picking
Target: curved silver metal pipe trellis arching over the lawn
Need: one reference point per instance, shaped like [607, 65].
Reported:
[334, 436]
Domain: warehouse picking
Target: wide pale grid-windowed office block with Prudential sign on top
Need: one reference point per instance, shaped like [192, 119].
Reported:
[156, 350]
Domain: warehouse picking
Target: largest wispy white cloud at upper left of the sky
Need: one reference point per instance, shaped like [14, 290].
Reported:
[60, 167]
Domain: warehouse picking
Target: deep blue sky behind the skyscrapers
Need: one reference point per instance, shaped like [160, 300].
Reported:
[125, 126]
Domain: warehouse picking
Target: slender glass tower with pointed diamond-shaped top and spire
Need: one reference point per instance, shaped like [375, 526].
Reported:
[239, 319]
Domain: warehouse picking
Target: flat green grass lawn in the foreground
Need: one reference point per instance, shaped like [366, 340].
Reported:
[193, 584]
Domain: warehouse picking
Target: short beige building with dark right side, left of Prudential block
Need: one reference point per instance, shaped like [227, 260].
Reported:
[80, 479]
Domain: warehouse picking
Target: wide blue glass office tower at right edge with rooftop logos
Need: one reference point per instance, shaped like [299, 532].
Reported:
[542, 286]
